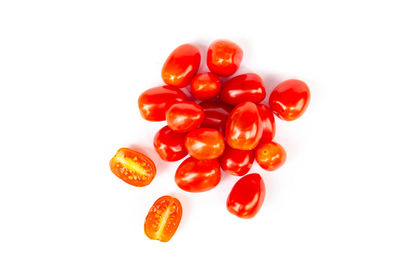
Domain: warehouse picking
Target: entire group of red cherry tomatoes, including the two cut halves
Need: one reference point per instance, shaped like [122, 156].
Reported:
[221, 126]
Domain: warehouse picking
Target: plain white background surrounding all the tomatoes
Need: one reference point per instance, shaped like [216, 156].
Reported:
[71, 73]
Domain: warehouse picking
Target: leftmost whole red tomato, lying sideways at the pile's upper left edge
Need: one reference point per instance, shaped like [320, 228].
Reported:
[154, 102]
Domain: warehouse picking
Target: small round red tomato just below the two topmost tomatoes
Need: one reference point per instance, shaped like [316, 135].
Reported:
[205, 86]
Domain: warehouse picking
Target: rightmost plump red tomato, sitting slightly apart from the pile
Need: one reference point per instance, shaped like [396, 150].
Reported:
[290, 99]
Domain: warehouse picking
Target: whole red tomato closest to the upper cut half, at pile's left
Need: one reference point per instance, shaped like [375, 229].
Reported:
[170, 145]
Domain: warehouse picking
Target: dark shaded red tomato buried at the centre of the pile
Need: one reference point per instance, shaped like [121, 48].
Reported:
[216, 114]
